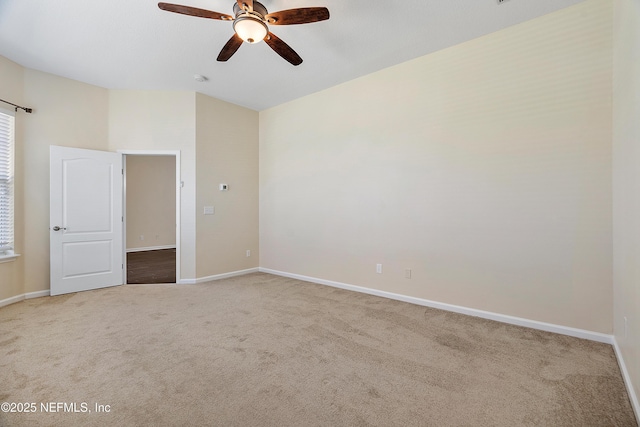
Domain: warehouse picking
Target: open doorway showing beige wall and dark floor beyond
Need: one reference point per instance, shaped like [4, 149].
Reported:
[151, 215]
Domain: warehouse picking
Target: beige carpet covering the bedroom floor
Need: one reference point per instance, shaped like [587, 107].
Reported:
[261, 350]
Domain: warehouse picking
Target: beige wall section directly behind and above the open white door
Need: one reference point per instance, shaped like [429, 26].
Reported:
[68, 113]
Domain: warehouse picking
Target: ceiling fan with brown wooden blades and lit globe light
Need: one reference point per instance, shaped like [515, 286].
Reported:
[251, 25]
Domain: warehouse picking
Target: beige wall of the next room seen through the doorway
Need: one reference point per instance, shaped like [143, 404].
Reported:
[151, 201]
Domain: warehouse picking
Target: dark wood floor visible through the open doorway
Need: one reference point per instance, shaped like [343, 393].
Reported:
[151, 266]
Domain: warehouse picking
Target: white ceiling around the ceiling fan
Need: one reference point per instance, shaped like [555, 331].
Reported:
[132, 44]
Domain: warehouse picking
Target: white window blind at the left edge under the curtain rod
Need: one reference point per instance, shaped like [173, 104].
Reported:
[6, 181]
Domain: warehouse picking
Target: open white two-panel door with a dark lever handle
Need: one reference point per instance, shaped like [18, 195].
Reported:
[85, 219]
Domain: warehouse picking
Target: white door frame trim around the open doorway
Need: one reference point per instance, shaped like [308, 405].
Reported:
[176, 154]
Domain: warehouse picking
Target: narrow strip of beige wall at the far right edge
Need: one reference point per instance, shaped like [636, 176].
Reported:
[626, 180]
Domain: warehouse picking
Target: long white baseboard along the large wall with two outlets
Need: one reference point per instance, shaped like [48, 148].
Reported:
[534, 324]
